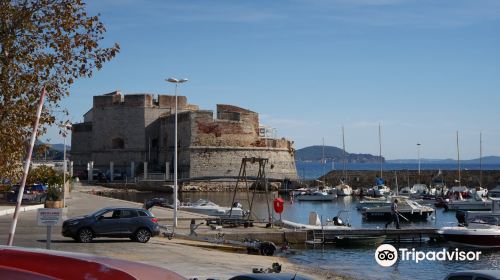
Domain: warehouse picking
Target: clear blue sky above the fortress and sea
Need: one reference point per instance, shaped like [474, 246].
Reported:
[422, 69]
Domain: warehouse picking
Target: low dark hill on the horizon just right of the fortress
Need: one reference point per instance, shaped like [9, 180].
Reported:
[315, 153]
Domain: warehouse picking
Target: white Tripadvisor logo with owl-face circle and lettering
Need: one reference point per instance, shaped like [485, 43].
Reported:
[387, 255]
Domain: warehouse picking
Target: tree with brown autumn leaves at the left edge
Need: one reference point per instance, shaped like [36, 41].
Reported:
[47, 43]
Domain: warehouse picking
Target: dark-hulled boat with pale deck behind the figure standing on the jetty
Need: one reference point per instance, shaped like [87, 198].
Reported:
[409, 210]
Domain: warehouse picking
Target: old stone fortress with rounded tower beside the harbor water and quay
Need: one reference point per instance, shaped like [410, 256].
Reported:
[133, 135]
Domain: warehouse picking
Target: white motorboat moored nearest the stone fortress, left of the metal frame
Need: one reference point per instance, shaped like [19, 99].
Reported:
[206, 207]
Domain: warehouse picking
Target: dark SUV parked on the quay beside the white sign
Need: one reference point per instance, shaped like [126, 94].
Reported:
[137, 224]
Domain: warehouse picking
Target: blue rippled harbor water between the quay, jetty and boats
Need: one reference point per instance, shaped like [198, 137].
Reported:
[356, 262]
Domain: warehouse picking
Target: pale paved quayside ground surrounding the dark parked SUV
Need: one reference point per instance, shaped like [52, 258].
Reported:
[188, 258]
